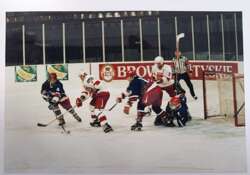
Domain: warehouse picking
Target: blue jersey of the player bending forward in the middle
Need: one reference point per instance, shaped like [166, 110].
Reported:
[137, 86]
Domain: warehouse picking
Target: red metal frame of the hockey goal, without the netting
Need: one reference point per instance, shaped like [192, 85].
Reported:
[236, 109]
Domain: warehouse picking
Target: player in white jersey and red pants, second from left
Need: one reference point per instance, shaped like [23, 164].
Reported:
[99, 97]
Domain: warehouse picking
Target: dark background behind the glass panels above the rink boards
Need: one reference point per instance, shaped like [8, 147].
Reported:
[86, 44]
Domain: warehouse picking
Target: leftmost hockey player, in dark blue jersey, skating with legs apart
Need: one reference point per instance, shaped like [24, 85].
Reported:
[52, 91]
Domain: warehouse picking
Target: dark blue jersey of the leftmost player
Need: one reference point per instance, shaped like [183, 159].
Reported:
[53, 87]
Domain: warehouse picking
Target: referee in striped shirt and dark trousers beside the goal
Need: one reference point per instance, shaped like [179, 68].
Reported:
[180, 71]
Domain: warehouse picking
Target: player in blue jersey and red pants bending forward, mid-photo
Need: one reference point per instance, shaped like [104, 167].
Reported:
[147, 94]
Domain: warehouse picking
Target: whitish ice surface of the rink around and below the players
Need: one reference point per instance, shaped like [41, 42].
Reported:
[201, 146]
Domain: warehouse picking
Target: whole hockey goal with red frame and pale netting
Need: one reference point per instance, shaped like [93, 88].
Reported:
[223, 95]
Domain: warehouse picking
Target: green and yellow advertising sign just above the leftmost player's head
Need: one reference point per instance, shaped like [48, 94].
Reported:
[61, 71]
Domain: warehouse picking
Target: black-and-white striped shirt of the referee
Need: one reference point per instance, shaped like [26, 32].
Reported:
[180, 65]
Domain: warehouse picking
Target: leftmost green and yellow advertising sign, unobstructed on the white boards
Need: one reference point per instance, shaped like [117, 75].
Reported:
[26, 73]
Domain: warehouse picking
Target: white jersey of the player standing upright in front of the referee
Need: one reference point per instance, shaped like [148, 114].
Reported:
[166, 71]
